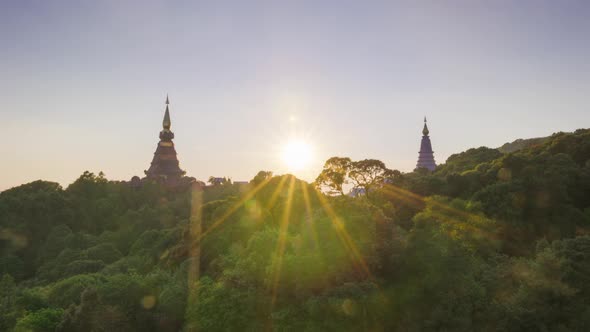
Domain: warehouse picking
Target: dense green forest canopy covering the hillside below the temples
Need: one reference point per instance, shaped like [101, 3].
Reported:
[490, 241]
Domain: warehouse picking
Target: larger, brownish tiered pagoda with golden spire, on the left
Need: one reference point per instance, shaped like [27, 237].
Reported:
[165, 167]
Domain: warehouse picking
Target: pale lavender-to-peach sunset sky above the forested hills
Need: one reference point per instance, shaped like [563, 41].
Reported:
[83, 83]
